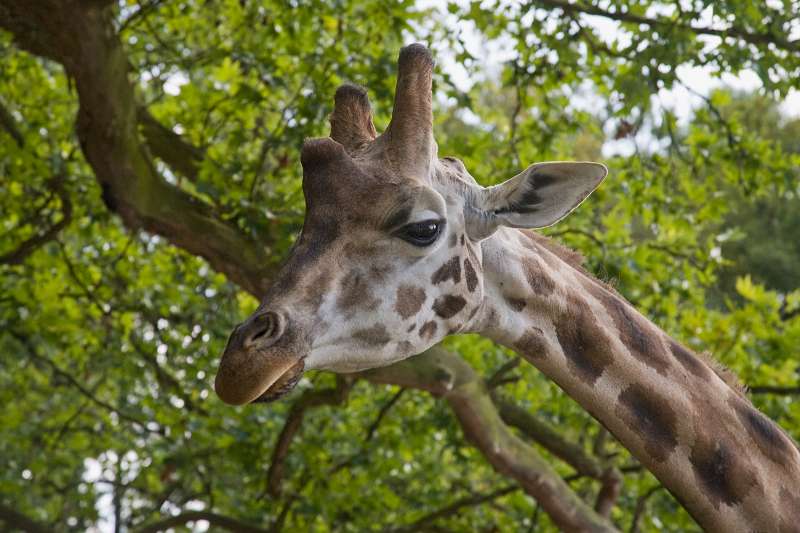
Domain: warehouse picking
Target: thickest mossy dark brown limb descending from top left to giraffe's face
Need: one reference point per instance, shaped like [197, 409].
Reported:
[80, 36]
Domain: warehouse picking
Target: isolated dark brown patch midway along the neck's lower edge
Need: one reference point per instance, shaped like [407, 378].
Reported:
[652, 418]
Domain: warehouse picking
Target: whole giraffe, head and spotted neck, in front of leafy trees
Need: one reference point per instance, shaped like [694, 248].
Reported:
[401, 248]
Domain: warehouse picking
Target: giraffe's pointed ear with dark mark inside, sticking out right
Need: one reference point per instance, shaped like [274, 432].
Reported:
[538, 197]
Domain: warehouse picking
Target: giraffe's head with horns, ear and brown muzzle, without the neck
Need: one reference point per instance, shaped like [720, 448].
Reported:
[389, 261]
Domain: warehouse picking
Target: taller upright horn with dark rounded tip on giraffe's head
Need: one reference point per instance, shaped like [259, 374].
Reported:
[410, 132]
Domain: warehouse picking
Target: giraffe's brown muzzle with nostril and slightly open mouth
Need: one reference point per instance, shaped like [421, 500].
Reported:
[263, 360]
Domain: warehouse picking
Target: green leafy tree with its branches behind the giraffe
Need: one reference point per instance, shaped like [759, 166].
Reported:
[136, 235]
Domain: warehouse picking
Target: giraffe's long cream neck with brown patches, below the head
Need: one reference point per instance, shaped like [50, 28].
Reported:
[731, 467]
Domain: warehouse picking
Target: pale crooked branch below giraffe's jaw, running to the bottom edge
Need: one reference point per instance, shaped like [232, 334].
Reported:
[446, 375]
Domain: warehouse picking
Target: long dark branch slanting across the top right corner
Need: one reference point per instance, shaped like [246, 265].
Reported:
[761, 39]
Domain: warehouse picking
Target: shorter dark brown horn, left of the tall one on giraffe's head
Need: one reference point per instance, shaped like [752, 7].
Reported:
[351, 120]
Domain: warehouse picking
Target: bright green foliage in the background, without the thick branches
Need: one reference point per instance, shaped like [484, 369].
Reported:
[109, 337]
